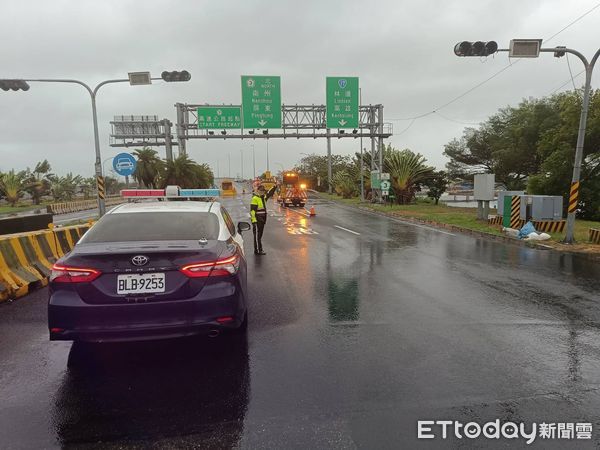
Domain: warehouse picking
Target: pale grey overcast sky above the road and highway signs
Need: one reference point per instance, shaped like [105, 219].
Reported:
[402, 51]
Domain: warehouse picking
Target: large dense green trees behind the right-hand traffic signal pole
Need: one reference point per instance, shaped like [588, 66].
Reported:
[532, 147]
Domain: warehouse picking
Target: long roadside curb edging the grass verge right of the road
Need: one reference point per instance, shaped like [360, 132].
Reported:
[466, 231]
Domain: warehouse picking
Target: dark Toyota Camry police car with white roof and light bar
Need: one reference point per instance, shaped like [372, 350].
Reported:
[152, 269]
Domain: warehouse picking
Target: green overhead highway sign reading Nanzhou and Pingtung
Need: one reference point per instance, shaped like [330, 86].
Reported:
[261, 101]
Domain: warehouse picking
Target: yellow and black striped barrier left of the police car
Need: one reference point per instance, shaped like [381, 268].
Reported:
[26, 258]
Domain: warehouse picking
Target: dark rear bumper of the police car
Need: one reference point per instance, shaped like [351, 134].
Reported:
[70, 319]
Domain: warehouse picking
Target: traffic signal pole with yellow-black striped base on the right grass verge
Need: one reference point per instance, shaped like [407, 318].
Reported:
[531, 48]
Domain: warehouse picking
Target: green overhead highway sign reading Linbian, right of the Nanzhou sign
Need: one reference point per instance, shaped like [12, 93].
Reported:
[342, 102]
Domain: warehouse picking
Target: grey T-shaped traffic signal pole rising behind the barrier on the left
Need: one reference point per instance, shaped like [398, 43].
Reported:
[134, 79]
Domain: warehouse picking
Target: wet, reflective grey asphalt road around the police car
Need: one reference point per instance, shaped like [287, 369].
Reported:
[359, 326]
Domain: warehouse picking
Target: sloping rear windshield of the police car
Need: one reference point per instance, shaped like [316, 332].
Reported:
[154, 226]
